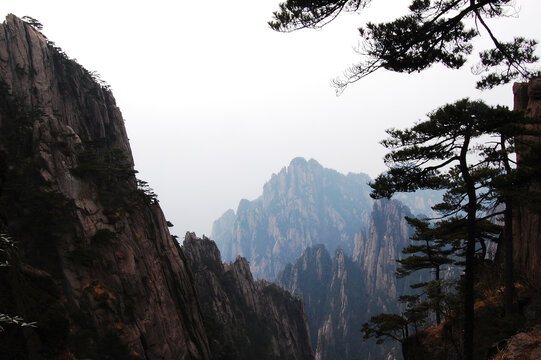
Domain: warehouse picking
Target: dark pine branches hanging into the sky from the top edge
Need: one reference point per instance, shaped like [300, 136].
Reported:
[434, 31]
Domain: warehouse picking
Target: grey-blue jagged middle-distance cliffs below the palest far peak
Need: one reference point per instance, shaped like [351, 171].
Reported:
[342, 293]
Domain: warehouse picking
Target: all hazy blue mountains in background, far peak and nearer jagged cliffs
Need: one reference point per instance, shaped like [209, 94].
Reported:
[308, 212]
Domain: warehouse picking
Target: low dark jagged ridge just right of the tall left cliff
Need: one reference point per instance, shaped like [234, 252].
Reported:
[246, 319]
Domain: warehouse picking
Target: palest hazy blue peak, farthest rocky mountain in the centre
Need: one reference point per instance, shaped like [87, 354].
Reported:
[303, 205]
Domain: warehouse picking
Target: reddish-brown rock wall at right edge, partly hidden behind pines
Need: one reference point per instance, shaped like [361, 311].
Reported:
[526, 223]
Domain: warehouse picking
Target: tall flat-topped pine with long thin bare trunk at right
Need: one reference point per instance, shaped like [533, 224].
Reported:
[463, 148]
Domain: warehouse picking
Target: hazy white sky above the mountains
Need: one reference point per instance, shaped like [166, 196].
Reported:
[215, 101]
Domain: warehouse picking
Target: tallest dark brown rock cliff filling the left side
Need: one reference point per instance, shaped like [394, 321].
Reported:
[95, 266]
